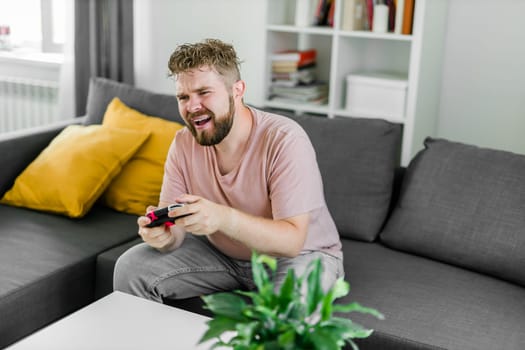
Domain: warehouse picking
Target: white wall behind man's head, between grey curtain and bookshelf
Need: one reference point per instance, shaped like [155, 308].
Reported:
[161, 25]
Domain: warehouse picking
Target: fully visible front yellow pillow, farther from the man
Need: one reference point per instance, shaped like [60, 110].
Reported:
[70, 174]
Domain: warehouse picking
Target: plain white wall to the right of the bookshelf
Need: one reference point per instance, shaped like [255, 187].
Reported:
[483, 88]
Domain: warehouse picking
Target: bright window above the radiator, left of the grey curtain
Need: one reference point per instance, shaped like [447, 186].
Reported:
[32, 25]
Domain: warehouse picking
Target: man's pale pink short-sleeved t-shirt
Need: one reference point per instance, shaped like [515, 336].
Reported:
[277, 177]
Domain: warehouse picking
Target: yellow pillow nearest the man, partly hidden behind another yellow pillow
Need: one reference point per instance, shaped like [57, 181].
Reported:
[138, 185]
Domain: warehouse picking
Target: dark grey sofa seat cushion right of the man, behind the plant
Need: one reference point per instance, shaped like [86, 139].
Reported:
[429, 304]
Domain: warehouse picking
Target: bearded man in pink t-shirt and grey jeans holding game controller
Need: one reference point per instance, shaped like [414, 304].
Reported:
[249, 180]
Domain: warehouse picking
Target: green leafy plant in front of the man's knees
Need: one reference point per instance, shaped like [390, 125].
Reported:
[284, 319]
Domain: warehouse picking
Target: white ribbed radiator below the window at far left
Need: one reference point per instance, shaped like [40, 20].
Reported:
[25, 103]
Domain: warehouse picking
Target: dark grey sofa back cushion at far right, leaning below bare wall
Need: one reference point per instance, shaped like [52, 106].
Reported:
[463, 205]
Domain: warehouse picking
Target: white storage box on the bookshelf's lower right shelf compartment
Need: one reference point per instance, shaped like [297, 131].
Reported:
[376, 95]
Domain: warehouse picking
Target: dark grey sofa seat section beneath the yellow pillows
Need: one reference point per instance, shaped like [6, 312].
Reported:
[47, 264]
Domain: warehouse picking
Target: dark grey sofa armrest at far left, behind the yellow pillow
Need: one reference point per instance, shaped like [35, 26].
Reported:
[19, 148]
